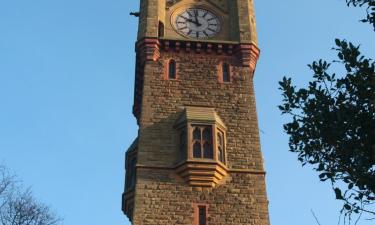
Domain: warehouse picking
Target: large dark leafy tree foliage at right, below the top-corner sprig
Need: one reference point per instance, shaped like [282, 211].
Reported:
[333, 125]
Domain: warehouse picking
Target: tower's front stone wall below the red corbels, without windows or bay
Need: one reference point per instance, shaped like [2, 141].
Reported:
[162, 197]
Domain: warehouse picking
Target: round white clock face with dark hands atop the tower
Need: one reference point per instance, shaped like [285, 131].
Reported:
[197, 23]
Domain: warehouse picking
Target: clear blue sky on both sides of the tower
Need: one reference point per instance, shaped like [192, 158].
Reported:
[66, 92]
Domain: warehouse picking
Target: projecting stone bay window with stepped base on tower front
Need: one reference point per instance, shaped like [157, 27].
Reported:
[202, 160]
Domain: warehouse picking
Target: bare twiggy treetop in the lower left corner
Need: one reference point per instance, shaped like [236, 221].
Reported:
[18, 206]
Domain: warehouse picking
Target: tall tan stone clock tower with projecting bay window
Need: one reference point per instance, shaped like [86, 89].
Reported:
[197, 158]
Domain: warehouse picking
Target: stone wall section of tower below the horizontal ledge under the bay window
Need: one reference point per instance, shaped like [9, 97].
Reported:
[160, 200]
